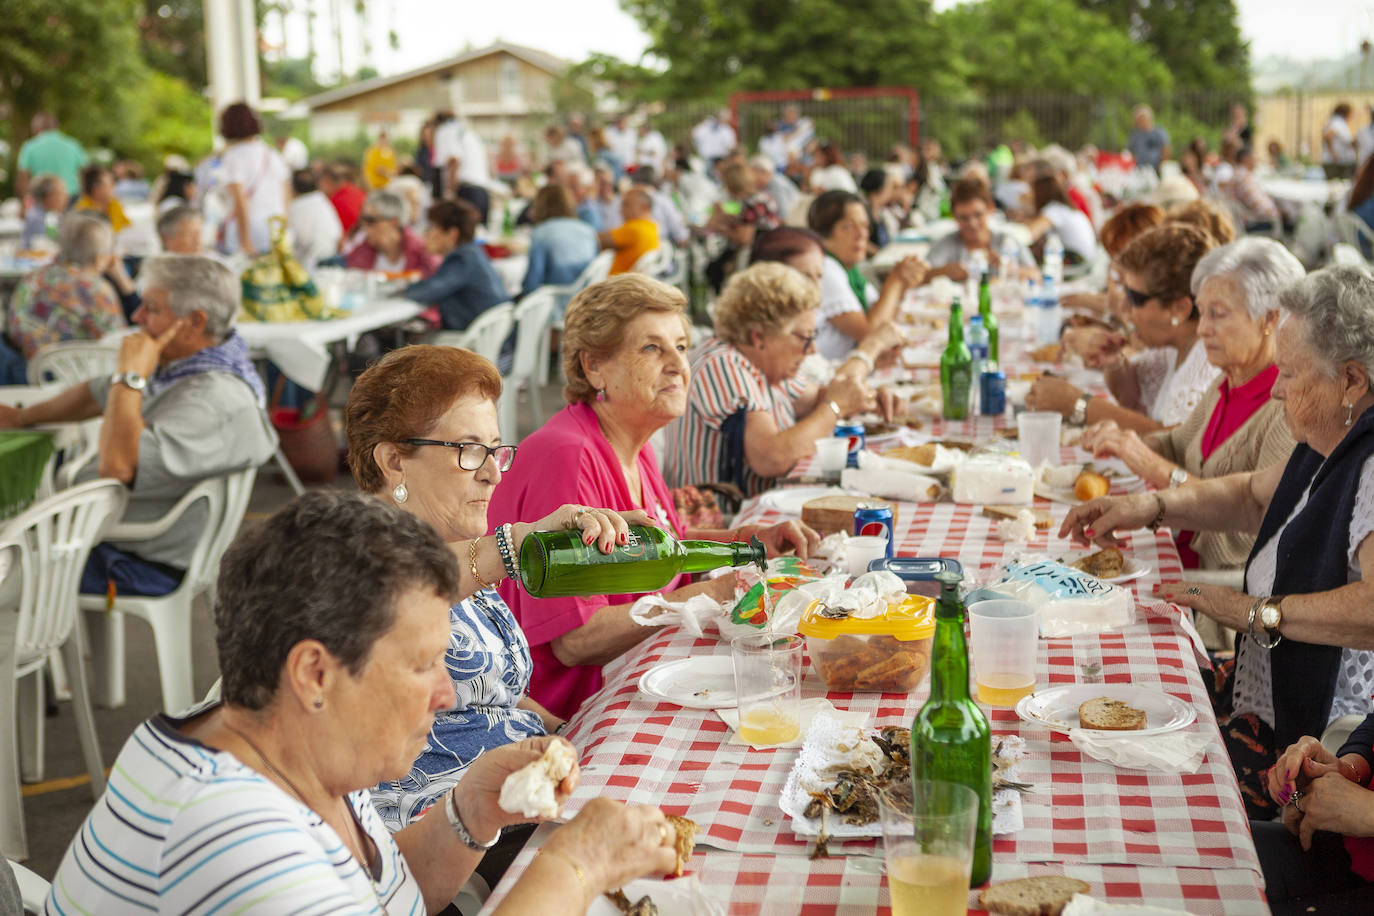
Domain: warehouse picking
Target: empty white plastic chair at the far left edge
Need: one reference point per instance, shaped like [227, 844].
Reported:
[47, 547]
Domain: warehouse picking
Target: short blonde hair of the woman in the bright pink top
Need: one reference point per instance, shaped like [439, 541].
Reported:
[597, 318]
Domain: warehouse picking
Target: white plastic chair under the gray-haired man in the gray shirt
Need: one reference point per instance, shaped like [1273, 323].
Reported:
[226, 501]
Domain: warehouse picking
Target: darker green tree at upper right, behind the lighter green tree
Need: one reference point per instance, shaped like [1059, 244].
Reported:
[1199, 41]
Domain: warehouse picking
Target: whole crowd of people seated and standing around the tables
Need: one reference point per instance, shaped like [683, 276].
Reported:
[1240, 389]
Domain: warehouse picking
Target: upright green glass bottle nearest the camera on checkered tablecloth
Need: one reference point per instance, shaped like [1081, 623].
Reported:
[950, 737]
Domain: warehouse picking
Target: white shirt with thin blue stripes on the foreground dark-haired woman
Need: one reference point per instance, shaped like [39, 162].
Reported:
[185, 829]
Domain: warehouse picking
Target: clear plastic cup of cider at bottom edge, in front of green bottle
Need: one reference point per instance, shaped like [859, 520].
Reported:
[928, 834]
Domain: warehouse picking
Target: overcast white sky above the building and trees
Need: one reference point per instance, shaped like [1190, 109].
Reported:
[575, 28]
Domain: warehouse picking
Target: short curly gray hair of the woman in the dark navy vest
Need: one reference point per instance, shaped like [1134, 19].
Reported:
[1336, 306]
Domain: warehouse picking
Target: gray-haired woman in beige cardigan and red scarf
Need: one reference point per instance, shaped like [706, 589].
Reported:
[1236, 426]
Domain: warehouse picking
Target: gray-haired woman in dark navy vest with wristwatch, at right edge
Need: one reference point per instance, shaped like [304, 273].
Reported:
[1302, 659]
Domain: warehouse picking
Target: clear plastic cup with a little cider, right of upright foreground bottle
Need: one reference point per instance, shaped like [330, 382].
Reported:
[1005, 638]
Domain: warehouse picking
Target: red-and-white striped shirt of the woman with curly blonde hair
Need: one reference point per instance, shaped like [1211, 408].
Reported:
[723, 381]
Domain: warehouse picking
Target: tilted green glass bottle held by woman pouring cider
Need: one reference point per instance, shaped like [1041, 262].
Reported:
[557, 564]
